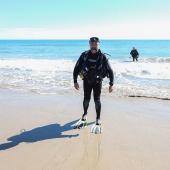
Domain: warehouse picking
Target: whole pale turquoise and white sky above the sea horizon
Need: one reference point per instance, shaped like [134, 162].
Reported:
[81, 19]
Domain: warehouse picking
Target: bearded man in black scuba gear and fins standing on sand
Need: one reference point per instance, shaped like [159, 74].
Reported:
[92, 66]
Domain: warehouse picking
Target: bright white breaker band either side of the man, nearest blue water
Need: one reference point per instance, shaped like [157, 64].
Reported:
[142, 69]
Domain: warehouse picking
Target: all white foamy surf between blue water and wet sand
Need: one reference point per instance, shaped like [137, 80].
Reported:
[150, 79]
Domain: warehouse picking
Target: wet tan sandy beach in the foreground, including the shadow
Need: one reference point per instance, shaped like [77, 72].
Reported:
[36, 133]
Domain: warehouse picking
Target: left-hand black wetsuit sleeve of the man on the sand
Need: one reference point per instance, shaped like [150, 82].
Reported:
[77, 68]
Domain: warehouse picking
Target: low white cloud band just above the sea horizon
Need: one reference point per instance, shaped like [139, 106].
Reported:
[128, 30]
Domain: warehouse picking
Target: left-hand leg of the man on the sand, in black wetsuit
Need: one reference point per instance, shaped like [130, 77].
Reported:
[87, 96]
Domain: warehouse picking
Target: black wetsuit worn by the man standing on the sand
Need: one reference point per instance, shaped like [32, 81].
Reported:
[96, 85]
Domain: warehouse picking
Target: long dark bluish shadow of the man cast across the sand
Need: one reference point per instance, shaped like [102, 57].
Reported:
[39, 134]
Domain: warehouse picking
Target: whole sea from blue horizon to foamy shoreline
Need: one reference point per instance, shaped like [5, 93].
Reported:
[46, 66]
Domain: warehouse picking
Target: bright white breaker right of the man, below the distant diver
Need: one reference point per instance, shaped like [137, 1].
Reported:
[142, 69]
